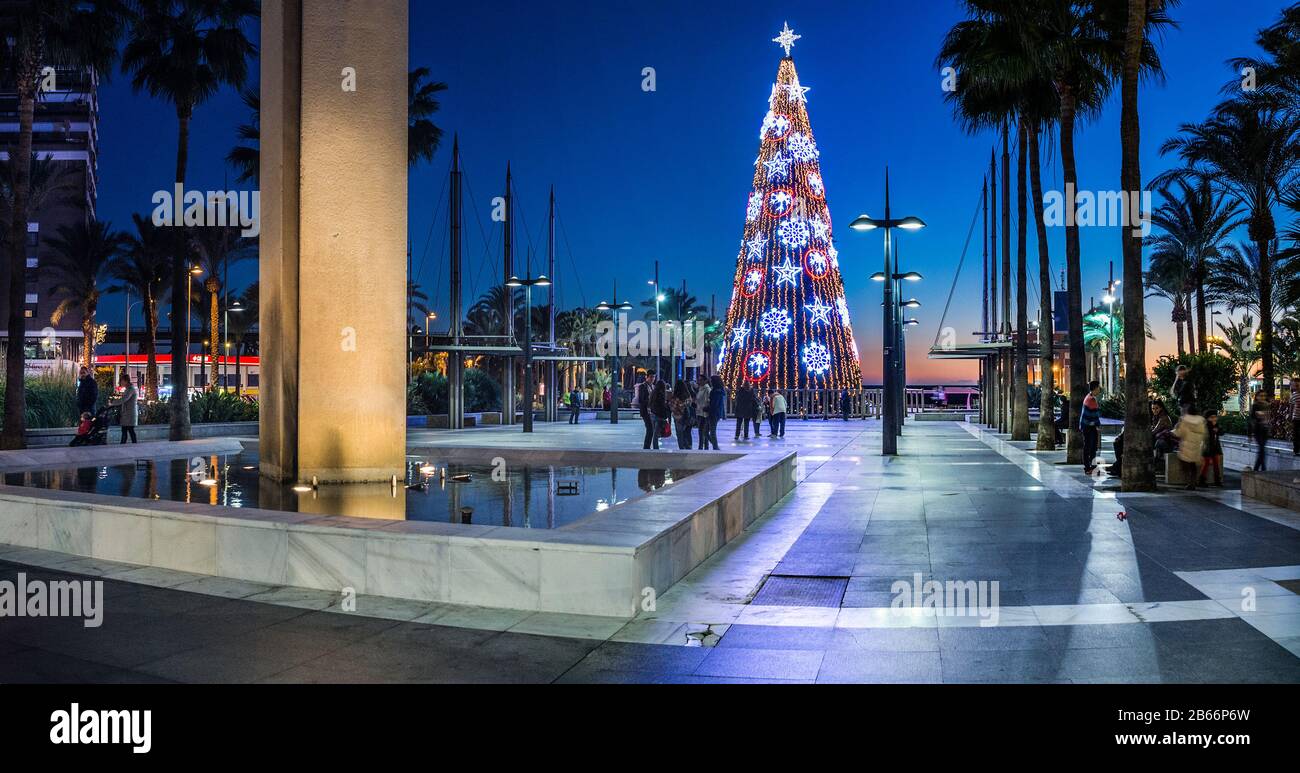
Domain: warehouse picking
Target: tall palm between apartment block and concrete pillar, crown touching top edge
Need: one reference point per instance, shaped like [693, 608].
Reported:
[184, 53]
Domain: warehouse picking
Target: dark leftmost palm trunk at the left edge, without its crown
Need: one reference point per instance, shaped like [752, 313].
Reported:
[16, 362]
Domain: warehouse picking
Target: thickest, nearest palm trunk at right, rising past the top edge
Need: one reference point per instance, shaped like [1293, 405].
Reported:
[1138, 474]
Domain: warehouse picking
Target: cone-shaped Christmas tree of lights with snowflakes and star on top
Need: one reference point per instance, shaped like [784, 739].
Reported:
[788, 323]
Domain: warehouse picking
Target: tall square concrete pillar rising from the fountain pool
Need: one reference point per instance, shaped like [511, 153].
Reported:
[333, 240]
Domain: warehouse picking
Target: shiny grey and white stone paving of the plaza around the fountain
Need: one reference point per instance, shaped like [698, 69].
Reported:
[1186, 589]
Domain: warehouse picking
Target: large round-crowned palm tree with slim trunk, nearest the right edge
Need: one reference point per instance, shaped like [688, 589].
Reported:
[1247, 150]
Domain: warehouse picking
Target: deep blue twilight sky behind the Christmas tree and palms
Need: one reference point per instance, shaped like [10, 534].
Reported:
[556, 89]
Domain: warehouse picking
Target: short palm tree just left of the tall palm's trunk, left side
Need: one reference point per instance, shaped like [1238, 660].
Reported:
[144, 268]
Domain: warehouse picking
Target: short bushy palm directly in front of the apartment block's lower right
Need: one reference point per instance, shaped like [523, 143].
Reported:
[83, 254]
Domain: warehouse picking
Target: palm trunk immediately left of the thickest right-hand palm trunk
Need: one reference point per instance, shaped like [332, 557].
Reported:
[1074, 281]
